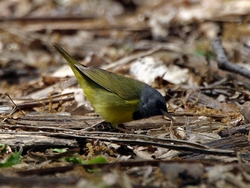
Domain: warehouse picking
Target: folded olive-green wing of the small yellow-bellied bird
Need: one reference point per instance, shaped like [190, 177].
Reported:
[125, 88]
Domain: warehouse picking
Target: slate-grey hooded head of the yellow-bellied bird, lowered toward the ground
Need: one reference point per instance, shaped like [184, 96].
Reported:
[152, 103]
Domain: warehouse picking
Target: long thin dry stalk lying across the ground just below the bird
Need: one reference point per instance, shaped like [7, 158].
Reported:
[132, 139]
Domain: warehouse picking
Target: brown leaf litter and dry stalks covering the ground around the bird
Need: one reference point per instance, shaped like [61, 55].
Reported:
[175, 46]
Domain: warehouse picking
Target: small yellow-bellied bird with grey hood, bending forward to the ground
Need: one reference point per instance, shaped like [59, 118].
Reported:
[116, 98]
